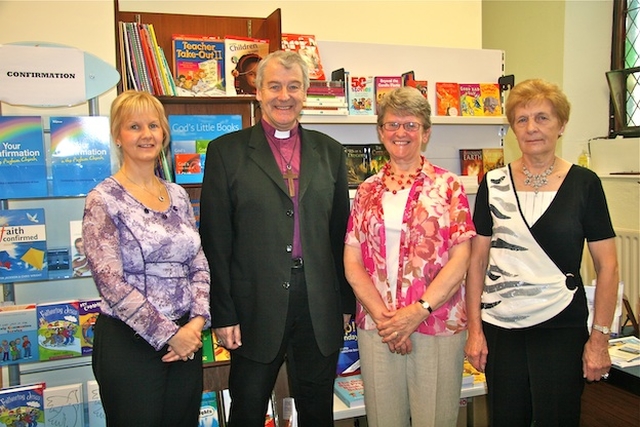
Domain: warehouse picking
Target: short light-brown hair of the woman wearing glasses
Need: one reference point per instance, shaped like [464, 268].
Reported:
[405, 101]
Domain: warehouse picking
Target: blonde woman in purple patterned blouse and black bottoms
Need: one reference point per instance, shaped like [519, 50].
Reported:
[153, 278]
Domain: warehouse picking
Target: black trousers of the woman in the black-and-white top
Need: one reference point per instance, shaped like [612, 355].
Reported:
[534, 376]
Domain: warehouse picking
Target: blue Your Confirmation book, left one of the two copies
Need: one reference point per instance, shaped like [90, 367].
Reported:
[23, 164]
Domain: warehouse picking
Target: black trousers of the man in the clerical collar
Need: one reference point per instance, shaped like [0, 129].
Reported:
[311, 374]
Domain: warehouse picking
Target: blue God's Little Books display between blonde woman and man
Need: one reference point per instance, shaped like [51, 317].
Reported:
[190, 136]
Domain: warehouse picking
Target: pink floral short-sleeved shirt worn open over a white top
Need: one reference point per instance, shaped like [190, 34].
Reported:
[436, 218]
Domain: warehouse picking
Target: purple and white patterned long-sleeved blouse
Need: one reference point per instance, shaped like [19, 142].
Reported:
[149, 267]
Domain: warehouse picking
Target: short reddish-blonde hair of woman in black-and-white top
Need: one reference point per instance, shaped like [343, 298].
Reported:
[537, 90]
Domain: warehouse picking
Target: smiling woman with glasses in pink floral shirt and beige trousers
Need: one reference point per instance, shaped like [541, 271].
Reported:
[406, 254]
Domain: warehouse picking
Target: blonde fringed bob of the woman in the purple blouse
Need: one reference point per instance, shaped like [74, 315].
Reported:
[131, 103]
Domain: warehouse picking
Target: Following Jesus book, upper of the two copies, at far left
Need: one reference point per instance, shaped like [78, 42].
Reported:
[59, 334]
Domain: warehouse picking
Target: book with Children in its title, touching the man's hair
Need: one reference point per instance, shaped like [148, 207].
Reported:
[241, 57]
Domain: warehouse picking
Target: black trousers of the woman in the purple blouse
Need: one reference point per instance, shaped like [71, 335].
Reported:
[136, 387]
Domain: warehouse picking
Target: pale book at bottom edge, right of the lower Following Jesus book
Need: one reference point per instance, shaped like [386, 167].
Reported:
[64, 406]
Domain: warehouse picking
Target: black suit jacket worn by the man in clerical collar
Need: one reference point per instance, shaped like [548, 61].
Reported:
[246, 224]
